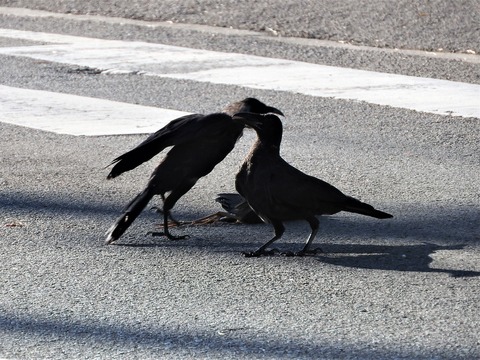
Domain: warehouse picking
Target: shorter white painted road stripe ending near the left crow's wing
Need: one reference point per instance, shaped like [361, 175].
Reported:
[78, 115]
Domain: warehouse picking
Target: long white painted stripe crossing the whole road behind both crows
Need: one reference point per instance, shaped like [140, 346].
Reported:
[421, 94]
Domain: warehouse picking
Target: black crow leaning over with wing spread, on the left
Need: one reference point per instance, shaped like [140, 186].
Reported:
[199, 143]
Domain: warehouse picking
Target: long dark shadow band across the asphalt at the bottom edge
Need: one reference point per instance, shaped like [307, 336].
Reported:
[121, 339]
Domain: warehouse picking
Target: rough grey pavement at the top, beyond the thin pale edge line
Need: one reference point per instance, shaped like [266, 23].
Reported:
[452, 26]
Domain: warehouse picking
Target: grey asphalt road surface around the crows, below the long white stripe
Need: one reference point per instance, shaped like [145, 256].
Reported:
[405, 288]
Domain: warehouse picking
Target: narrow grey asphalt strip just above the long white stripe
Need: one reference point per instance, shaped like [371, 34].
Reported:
[447, 66]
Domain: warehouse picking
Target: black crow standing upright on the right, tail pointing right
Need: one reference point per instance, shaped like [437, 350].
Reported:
[277, 191]
